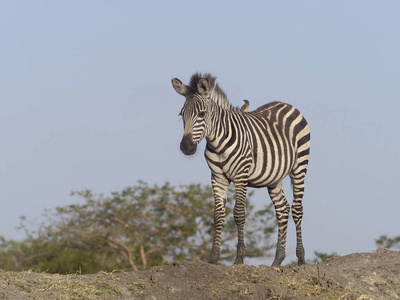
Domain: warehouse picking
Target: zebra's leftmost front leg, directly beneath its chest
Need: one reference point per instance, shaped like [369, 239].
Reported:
[220, 187]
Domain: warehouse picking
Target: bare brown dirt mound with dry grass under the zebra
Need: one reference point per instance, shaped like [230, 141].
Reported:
[356, 276]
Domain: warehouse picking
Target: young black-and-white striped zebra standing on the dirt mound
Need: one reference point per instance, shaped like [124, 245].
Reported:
[250, 149]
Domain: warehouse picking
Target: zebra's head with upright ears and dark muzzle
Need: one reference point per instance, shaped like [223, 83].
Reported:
[194, 112]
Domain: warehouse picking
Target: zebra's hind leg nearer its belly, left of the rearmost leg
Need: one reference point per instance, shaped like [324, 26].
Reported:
[282, 209]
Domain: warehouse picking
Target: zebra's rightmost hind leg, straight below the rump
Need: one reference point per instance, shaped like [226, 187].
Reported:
[297, 211]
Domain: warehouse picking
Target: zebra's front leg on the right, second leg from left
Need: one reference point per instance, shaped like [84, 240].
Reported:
[239, 214]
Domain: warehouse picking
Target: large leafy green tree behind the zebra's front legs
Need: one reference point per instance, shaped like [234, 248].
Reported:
[137, 228]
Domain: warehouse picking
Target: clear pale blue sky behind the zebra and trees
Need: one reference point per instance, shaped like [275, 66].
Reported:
[87, 103]
